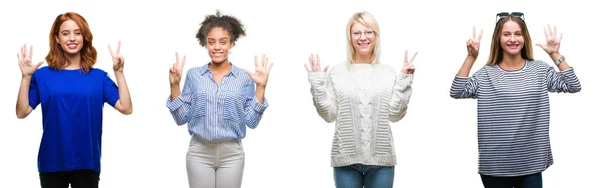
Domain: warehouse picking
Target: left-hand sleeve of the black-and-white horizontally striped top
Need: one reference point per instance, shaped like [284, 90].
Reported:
[463, 87]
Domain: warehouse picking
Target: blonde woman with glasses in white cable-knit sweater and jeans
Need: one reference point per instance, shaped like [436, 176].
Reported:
[362, 96]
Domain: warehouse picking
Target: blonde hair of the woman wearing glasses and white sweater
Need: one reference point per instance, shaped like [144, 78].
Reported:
[369, 21]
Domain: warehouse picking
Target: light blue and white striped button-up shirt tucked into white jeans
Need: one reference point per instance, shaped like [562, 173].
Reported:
[217, 112]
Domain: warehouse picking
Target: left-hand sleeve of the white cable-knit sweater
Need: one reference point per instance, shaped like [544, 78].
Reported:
[323, 93]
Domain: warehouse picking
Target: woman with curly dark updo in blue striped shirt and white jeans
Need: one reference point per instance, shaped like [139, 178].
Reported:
[218, 101]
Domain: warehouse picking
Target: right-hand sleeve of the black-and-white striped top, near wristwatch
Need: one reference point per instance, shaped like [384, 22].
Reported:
[564, 81]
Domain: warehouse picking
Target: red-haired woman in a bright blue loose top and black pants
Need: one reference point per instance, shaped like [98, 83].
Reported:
[72, 94]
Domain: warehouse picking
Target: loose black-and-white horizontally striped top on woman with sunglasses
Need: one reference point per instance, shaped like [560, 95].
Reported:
[513, 115]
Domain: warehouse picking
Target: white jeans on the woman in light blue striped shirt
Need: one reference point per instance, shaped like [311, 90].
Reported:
[215, 164]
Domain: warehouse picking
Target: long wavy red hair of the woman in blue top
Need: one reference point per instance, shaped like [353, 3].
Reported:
[56, 56]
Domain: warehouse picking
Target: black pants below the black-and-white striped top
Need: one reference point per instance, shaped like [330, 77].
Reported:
[527, 181]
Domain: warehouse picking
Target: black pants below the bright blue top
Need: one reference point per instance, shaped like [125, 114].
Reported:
[77, 179]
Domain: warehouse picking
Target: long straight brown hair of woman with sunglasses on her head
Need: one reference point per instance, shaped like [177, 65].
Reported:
[496, 52]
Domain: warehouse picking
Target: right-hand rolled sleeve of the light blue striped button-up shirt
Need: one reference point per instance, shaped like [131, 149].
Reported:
[252, 108]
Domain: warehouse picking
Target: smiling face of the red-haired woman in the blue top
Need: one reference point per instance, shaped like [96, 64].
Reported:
[70, 37]
